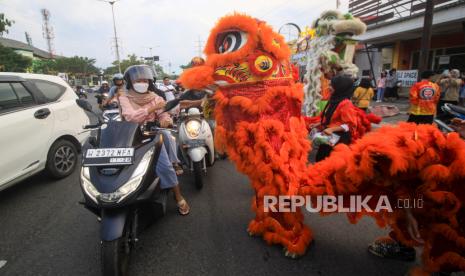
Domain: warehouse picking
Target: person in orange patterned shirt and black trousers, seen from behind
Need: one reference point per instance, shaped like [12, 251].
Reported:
[424, 97]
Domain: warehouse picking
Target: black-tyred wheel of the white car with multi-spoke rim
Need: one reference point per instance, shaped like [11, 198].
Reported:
[62, 159]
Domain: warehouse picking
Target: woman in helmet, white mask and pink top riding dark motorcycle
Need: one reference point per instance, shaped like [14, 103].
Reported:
[140, 104]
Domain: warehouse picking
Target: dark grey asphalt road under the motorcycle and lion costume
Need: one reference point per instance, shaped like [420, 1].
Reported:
[44, 231]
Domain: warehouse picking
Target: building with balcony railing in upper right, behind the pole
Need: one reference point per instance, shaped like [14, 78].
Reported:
[393, 38]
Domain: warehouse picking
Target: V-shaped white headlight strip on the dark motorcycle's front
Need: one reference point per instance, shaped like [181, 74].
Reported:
[124, 191]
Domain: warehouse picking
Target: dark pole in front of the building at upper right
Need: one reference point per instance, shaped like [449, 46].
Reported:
[426, 37]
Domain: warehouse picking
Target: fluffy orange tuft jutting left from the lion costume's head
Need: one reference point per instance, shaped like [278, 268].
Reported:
[198, 77]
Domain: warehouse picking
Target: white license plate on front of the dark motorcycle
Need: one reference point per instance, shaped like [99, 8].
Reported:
[108, 157]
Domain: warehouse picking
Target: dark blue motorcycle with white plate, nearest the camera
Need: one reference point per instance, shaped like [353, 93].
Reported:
[120, 186]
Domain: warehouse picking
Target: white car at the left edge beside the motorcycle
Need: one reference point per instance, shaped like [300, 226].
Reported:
[41, 127]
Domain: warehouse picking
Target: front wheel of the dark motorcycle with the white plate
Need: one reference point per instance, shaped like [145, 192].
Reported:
[115, 257]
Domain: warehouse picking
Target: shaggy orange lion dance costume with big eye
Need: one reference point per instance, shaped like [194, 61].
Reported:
[259, 124]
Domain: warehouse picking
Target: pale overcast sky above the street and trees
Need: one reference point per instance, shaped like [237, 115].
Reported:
[171, 27]
